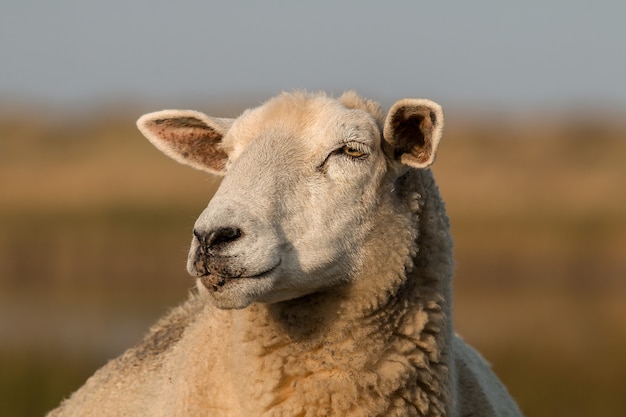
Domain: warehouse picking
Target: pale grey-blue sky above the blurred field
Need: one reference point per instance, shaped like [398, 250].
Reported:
[517, 54]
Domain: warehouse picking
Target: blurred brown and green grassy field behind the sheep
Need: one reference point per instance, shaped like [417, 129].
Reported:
[95, 223]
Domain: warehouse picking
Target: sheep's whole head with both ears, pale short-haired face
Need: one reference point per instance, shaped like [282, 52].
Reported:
[306, 179]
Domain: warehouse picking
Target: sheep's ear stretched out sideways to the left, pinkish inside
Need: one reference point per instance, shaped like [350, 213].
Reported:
[189, 137]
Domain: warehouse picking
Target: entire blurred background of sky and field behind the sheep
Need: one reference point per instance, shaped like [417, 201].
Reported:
[95, 222]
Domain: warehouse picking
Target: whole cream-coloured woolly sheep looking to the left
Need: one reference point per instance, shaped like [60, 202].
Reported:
[323, 267]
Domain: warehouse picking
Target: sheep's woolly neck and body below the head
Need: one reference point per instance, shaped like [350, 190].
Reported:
[382, 345]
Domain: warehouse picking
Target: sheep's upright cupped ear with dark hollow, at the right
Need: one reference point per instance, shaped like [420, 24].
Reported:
[412, 131]
